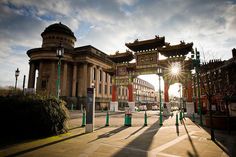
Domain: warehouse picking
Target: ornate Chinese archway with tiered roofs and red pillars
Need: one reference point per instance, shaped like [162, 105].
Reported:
[146, 54]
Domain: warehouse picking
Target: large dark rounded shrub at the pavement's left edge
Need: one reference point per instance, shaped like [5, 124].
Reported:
[32, 116]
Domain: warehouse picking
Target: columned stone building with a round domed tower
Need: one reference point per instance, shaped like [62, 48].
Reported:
[80, 68]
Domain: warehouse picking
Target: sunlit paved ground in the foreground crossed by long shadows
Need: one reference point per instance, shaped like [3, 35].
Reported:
[188, 139]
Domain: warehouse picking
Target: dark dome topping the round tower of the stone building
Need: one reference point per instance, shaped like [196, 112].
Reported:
[58, 28]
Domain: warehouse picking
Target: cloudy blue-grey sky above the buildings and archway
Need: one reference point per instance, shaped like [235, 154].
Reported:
[109, 24]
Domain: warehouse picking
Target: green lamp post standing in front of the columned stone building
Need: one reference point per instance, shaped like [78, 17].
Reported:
[60, 53]
